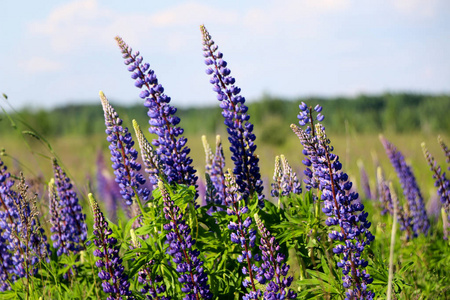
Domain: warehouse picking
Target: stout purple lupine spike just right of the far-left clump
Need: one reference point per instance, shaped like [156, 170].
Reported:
[68, 221]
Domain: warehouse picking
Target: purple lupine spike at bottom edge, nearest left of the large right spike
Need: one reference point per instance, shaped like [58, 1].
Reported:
[273, 270]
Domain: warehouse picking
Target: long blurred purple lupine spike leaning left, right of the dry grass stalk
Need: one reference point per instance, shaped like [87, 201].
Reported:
[410, 188]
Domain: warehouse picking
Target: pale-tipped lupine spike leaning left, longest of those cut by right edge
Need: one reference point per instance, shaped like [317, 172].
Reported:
[441, 181]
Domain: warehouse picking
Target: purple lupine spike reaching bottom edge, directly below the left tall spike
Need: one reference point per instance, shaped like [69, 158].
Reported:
[192, 274]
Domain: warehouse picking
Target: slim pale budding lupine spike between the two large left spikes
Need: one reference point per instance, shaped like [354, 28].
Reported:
[149, 156]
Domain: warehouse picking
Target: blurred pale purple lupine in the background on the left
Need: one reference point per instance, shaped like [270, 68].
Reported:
[108, 190]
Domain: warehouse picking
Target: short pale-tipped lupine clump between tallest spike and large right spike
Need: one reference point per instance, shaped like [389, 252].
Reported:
[285, 179]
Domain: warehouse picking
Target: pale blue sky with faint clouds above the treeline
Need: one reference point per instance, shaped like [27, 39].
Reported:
[59, 52]
